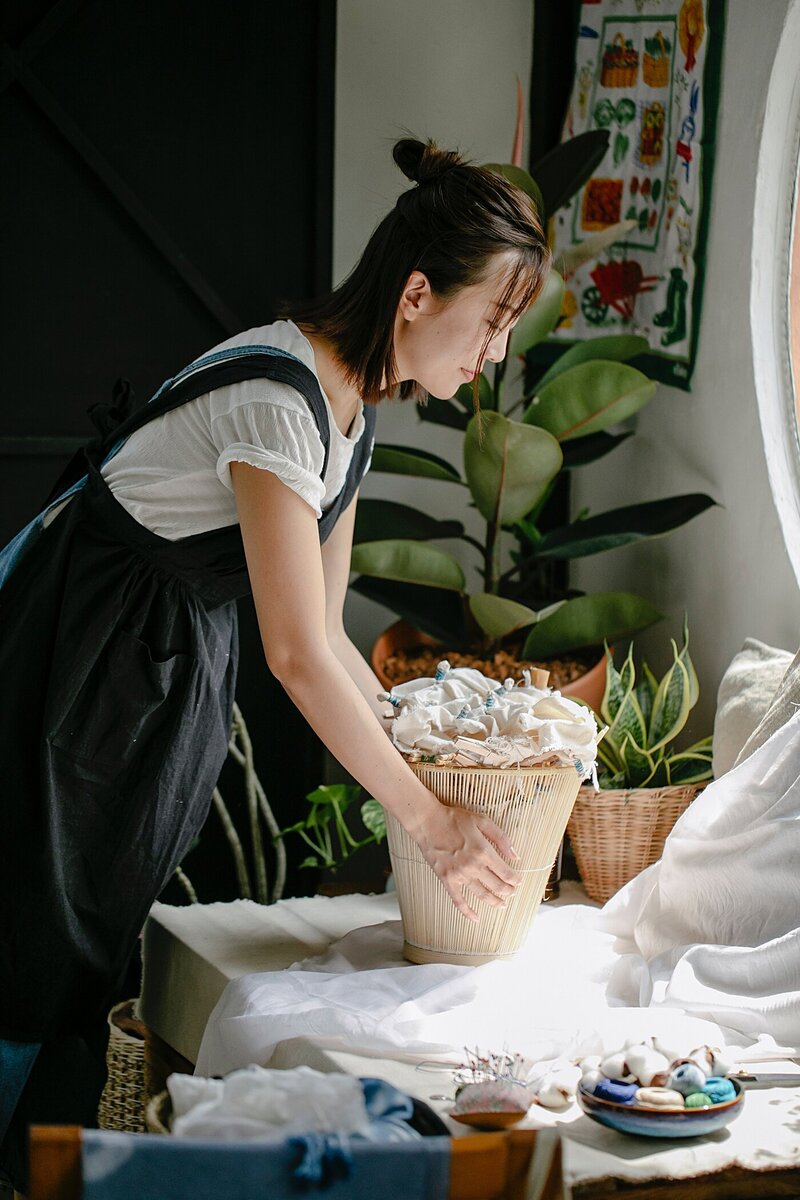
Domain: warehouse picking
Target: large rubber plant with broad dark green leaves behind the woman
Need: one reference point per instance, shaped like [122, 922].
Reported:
[514, 454]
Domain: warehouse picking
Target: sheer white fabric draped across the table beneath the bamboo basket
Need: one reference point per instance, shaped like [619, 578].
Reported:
[701, 949]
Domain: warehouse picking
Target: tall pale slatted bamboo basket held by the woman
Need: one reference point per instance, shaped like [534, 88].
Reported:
[532, 806]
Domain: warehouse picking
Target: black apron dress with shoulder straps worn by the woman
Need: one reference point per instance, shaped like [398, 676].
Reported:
[118, 658]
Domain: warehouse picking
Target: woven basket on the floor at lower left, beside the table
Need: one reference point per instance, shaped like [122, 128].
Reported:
[123, 1103]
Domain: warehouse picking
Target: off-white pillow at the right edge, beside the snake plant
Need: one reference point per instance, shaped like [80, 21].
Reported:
[745, 694]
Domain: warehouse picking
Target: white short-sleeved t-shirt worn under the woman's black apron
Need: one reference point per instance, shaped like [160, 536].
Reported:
[173, 476]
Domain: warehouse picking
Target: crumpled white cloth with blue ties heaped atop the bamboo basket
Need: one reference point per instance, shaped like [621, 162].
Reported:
[518, 724]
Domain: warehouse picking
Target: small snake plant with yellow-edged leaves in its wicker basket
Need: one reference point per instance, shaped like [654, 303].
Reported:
[646, 782]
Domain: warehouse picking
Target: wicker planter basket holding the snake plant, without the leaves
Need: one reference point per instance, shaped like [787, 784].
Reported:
[616, 835]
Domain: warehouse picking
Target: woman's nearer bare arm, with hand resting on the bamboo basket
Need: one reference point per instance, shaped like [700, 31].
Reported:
[286, 572]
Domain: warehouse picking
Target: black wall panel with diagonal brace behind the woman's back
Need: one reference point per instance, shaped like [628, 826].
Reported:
[167, 178]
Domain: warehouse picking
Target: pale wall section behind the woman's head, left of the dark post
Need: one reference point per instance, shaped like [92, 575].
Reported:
[441, 69]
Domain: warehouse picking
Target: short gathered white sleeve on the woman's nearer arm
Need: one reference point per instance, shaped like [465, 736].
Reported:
[269, 425]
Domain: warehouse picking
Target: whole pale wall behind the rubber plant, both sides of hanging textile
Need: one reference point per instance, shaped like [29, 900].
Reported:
[447, 69]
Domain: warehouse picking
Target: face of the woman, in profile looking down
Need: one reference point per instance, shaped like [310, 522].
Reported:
[438, 344]
